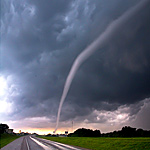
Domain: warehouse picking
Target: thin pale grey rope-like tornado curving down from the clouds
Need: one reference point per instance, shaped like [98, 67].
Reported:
[102, 40]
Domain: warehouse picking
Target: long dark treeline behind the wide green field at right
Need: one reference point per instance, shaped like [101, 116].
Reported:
[126, 131]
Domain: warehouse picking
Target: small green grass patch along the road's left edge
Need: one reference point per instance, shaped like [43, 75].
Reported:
[6, 139]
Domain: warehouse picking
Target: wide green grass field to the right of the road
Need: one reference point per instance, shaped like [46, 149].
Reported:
[105, 143]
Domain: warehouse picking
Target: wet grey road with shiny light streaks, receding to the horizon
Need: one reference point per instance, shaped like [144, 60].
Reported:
[34, 143]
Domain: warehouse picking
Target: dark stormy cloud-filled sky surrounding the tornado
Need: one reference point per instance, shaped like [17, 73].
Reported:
[40, 40]
